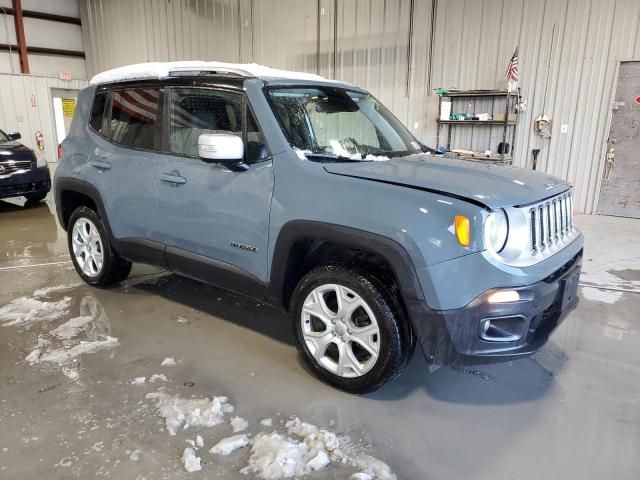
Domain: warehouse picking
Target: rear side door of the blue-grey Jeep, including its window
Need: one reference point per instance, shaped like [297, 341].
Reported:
[122, 165]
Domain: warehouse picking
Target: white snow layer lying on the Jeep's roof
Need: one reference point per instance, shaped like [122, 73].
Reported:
[160, 70]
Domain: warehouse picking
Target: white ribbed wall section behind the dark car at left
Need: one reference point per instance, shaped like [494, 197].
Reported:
[18, 113]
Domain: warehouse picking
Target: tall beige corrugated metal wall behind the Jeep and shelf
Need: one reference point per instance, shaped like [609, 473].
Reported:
[568, 56]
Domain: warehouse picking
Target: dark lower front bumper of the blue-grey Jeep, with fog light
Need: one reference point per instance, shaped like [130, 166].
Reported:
[517, 329]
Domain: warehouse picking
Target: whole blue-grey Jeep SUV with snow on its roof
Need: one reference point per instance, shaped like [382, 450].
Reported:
[310, 195]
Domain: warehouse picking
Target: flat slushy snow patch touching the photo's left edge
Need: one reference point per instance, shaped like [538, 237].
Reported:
[24, 311]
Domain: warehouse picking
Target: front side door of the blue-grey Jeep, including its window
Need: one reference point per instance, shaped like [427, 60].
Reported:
[214, 221]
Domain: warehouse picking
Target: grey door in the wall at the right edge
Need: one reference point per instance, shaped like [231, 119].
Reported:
[620, 191]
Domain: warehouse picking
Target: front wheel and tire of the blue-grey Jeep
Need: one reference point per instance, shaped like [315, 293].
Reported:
[349, 328]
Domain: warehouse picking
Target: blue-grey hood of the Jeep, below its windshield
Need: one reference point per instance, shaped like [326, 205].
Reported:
[490, 185]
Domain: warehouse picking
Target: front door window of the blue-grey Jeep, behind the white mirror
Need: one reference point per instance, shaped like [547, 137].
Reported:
[196, 111]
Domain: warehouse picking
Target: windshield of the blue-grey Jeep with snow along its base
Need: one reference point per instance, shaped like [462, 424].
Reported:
[340, 122]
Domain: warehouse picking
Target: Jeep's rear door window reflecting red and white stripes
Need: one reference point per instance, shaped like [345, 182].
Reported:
[133, 117]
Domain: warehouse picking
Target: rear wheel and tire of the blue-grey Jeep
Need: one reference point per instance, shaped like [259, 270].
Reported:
[92, 255]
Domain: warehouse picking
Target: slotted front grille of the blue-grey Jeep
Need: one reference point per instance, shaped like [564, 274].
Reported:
[550, 222]
